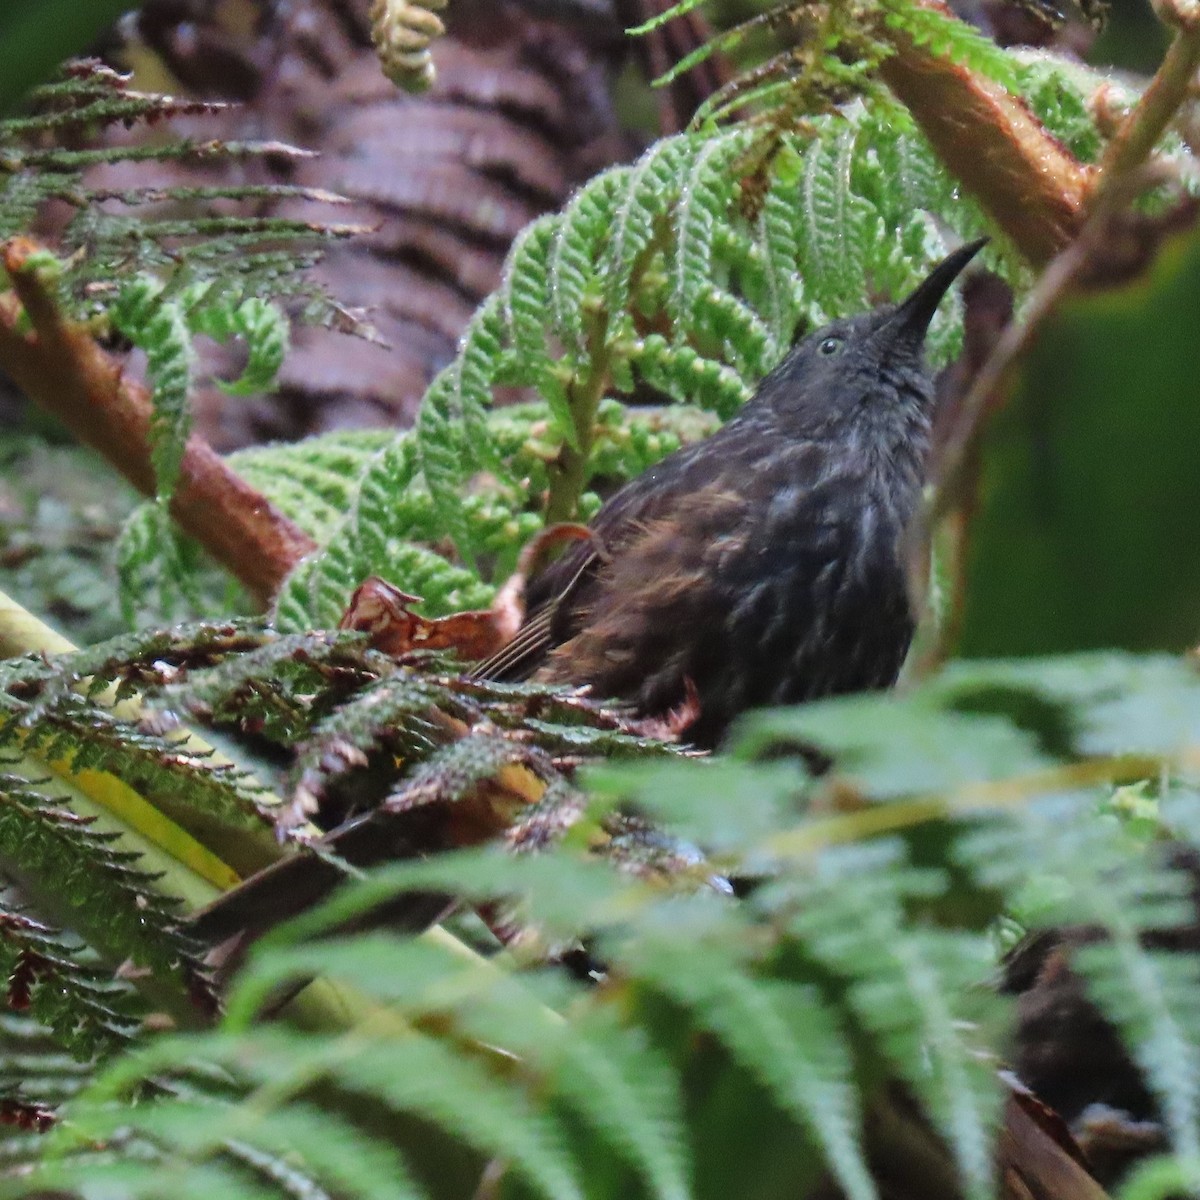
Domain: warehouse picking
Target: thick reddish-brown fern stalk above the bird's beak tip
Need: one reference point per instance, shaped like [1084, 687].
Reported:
[1030, 184]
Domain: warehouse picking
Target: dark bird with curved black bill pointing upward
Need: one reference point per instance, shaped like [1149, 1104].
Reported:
[765, 566]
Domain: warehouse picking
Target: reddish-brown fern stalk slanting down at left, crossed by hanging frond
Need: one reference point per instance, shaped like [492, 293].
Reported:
[59, 365]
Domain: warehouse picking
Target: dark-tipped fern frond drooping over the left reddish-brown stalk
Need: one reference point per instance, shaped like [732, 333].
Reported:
[160, 280]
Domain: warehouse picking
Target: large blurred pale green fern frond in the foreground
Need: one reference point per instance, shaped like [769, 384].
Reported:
[850, 961]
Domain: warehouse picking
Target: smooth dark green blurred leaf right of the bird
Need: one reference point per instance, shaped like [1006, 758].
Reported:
[1088, 533]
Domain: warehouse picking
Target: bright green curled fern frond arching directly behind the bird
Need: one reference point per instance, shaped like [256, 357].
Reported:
[687, 275]
